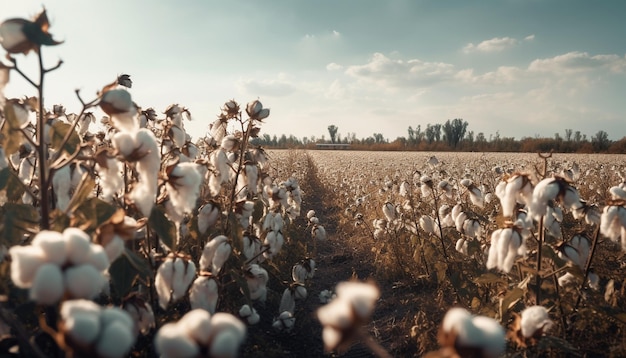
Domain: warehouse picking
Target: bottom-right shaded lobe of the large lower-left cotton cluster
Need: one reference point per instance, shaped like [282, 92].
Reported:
[84, 281]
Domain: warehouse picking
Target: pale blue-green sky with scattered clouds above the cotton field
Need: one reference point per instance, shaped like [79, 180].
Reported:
[517, 68]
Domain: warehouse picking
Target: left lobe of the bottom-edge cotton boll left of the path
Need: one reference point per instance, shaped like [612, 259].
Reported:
[172, 342]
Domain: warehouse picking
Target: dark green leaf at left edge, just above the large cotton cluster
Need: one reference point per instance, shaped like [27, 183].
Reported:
[15, 220]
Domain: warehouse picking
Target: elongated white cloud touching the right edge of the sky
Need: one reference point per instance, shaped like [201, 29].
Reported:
[575, 61]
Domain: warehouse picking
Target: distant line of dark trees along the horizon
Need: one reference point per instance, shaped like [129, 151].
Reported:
[454, 135]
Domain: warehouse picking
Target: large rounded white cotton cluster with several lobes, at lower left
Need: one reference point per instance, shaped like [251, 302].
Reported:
[57, 264]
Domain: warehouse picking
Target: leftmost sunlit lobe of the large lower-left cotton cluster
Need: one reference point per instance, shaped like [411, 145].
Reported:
[25, 261]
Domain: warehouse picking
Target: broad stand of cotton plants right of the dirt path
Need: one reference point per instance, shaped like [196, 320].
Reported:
[499, 233]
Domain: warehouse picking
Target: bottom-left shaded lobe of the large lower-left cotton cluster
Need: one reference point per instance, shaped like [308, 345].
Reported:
[47, 287]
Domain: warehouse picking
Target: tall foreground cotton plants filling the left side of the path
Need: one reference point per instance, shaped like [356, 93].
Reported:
[135, 240]
